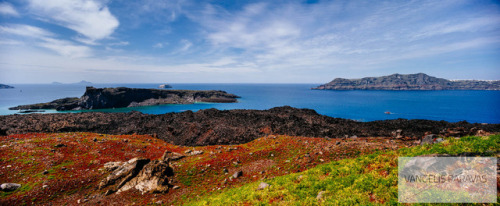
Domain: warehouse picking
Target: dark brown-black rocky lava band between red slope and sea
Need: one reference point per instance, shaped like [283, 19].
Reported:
[212, 126]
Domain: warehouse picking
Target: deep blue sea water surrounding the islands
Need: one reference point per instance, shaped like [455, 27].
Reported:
[453, 106]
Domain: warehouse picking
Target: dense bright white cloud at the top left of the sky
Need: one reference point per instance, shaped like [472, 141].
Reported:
[89, 18]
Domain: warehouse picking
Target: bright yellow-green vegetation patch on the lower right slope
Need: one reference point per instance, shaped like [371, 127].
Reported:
[366, 180]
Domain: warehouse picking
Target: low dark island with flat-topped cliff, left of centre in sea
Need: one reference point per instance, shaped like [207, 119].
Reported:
[105, 98]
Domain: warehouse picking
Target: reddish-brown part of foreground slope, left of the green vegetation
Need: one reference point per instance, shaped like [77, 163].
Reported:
[62, 168]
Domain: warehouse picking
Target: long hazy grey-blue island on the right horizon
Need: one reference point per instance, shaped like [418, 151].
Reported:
[418, 81]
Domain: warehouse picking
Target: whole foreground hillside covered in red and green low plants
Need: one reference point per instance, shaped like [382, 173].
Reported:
[66, 169]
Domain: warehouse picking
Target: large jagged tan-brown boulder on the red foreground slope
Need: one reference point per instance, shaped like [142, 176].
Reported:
[139, 173]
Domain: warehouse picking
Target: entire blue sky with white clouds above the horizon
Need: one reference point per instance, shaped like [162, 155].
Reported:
[237, 41]
